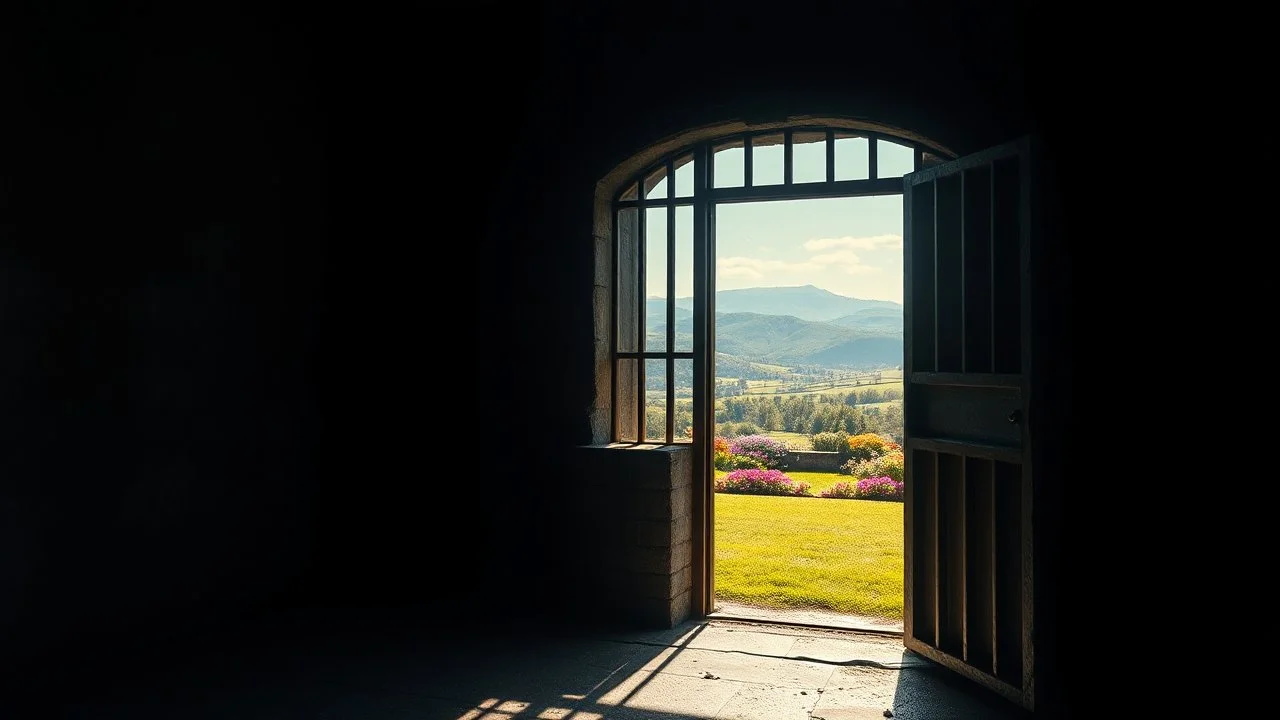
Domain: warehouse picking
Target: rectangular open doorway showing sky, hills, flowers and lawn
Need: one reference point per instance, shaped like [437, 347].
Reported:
[808, 463]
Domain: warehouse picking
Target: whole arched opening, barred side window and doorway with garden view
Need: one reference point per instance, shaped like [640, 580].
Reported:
[798, 372]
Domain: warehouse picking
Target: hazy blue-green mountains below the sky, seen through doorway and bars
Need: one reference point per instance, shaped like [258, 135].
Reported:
[793, 326]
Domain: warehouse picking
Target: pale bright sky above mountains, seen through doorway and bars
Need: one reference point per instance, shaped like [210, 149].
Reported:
[851, 247]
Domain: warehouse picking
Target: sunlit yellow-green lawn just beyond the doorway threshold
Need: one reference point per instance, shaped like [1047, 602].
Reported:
[842, 555]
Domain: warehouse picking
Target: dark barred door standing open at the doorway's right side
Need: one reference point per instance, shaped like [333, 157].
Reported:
[968, 516]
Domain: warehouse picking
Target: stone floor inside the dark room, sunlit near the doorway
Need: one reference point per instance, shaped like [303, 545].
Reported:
[712, 669]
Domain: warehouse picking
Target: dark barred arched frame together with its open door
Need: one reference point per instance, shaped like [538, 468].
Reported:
[967, 245]
